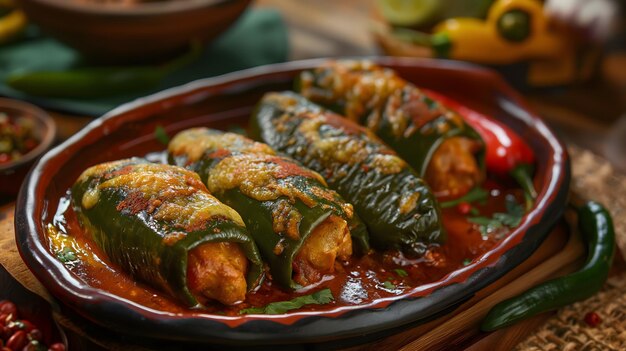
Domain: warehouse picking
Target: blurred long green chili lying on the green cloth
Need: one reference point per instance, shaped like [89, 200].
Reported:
[94, 82]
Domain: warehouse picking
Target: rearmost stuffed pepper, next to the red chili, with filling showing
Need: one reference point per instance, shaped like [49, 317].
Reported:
[433, 139]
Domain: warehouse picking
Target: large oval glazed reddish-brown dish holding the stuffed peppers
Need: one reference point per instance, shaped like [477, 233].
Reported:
[226, 101]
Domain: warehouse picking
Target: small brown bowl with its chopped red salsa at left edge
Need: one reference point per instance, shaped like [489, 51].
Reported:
[26, 132]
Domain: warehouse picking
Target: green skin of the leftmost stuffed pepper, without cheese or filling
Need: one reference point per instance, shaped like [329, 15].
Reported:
[136, 240]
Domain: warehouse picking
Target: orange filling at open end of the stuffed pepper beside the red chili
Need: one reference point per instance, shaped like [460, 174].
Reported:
[453, 169]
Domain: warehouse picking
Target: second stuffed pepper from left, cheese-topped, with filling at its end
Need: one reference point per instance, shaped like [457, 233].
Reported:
[300, 226]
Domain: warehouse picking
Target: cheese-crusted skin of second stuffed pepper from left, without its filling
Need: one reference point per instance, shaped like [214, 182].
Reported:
[277, 248]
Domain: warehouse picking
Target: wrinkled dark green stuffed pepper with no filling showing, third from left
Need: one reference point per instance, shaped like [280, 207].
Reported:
[394, 202]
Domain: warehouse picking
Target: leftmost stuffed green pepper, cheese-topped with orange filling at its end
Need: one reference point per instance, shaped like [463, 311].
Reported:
[160, 224]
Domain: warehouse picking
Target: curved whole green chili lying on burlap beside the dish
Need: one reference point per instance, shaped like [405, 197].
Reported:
[596, 227]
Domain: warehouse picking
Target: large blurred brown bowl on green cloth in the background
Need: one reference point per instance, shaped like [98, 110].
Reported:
[145, 31]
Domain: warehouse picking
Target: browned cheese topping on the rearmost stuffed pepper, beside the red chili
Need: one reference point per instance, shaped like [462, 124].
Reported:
[372, 93]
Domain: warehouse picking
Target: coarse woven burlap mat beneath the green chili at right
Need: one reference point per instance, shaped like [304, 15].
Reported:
[594, 178]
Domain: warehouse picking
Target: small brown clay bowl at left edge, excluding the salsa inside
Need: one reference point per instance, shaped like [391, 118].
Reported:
[13, 173]
